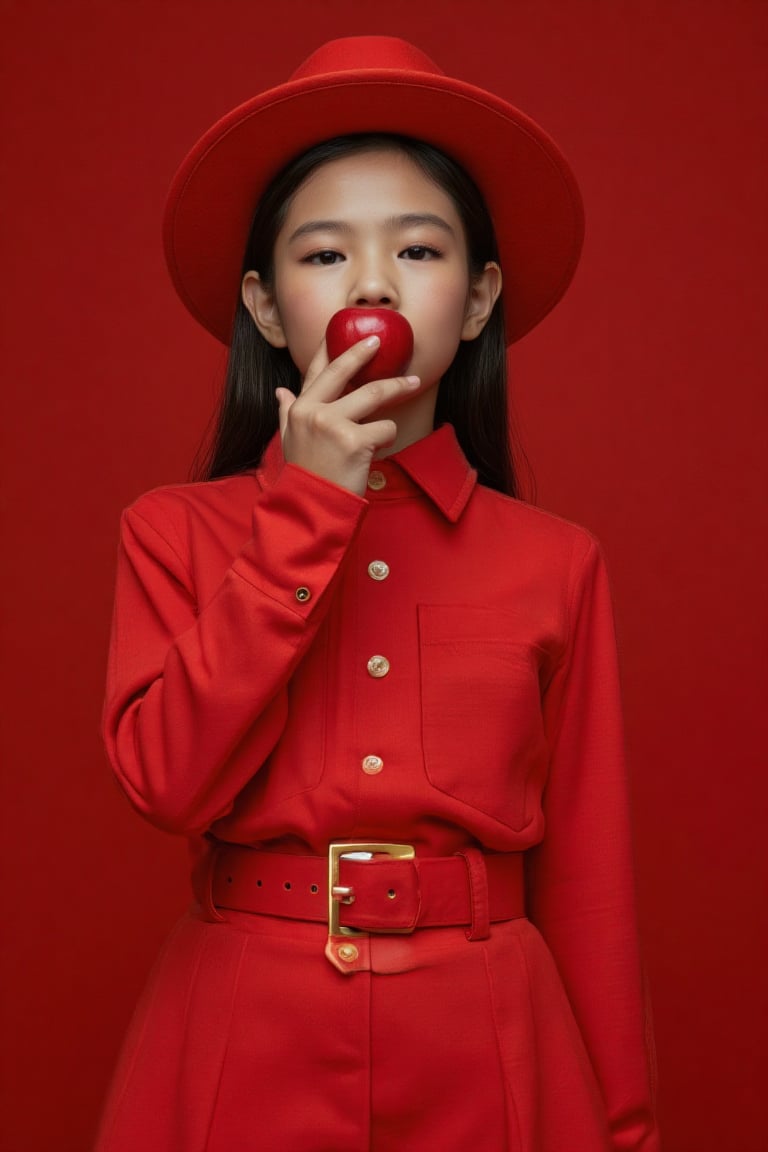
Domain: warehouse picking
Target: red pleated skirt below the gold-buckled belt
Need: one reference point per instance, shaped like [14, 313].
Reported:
[248, 1040]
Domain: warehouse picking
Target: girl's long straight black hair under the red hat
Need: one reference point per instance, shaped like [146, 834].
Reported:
[473, 395]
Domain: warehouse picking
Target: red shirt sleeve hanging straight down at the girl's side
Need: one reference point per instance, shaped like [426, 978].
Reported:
[582, 889]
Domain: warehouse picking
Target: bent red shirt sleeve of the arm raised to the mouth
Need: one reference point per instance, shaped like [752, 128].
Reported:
[196, 689]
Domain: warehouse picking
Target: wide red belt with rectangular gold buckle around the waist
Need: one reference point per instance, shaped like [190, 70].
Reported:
[393, 891]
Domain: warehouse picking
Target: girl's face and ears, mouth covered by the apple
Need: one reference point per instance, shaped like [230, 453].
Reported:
[371, 231]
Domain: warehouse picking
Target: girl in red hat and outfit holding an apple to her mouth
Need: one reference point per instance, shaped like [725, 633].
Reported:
[376, 691]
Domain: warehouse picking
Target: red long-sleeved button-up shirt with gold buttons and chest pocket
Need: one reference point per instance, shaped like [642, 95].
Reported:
[435, 665]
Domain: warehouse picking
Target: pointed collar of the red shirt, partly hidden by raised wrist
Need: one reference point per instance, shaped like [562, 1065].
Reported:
[436, 465]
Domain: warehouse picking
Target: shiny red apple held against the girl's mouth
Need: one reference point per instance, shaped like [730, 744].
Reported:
[352, 325]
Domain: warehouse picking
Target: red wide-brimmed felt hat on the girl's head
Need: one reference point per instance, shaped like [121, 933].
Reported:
[375, 85]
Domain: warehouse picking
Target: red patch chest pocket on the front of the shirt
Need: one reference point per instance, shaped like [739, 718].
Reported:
[482, 725]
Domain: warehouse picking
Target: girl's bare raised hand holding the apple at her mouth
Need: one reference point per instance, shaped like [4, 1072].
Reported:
[322, 429]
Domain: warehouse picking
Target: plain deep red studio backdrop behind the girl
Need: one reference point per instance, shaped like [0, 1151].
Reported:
[641, 403]
